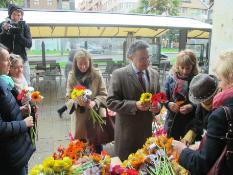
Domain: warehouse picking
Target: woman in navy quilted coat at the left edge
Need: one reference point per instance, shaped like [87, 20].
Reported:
[15, 144]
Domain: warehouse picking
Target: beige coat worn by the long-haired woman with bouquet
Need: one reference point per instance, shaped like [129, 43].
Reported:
[81, 121]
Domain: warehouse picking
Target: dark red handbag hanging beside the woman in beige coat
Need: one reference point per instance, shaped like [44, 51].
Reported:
[105, 134]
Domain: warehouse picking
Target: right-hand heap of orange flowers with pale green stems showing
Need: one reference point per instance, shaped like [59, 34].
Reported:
[156, 157]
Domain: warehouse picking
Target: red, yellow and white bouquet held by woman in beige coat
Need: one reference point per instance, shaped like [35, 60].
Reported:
[82, 95]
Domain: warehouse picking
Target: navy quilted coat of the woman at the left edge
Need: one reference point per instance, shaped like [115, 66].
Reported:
[15, 144]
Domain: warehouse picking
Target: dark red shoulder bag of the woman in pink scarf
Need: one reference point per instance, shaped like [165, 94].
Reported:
[222, 166]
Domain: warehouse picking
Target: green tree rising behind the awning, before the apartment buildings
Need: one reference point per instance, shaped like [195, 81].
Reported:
[158, 7]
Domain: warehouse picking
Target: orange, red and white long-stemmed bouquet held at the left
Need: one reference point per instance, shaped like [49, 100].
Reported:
[26, 96]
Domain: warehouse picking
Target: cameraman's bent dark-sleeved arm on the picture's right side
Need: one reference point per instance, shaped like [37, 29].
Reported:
[25, 38]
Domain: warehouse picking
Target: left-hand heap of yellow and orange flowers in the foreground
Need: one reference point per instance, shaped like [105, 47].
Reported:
[78, 158]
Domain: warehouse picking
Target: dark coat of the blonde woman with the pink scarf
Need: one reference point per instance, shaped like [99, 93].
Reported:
[199, 162]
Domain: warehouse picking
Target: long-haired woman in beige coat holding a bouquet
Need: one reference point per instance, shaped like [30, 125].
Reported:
[83, 73]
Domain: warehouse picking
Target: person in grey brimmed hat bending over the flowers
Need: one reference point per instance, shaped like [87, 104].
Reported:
[204, 99]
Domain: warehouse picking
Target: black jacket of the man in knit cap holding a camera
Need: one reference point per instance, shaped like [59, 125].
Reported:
[17, 43]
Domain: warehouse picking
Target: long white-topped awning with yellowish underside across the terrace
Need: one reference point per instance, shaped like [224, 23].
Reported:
[66, 24]
